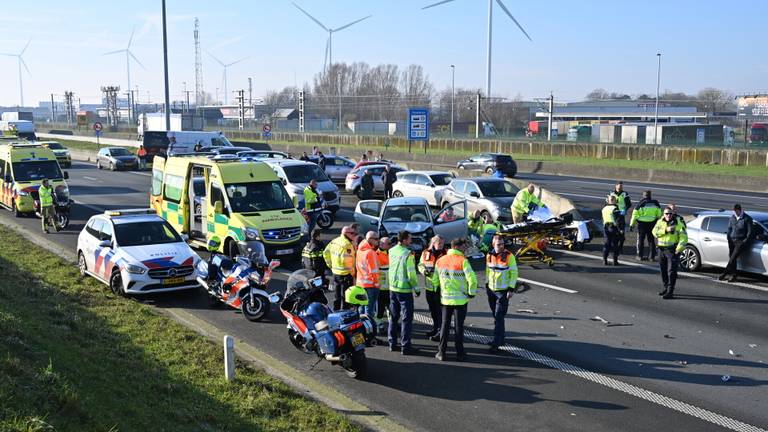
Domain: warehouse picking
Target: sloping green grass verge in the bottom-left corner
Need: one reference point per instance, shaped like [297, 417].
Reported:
[74, 357]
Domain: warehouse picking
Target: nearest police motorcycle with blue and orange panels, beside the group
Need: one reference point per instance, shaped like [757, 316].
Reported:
[339, 337]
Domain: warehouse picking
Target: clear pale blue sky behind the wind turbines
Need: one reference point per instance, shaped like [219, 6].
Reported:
[577, 46]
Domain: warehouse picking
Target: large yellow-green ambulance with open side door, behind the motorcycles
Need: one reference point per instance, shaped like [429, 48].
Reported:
[239, 202]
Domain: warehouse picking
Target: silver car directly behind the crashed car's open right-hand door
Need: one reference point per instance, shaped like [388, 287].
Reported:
[489, 195]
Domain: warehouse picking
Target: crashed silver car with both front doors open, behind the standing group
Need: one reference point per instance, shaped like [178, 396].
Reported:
[413, 215]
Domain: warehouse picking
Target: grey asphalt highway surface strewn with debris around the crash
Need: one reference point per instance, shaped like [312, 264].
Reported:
[652, 365]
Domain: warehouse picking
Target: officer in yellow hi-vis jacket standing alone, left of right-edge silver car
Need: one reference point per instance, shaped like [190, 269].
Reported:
[671, 238]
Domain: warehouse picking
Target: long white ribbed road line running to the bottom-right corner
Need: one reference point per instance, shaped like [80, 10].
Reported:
[612, 383]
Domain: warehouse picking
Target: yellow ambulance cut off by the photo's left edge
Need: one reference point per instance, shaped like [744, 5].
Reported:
[23, 167]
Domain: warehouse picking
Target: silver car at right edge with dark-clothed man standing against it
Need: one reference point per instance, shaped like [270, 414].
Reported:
[708, 243]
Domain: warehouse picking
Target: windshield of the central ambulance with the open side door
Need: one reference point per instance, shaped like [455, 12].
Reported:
[258, 196]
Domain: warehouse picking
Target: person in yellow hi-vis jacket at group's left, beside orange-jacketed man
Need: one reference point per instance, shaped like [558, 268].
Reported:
[339, 256]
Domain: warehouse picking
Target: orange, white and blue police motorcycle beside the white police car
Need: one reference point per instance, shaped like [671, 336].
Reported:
[240, 283]
